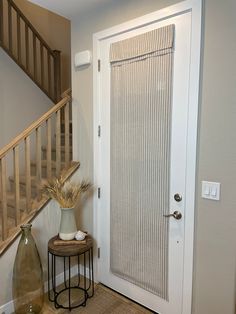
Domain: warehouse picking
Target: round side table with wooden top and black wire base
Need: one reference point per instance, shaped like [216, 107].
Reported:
[82, 253]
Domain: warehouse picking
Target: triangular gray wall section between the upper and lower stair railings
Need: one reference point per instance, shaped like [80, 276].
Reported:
[21, 101]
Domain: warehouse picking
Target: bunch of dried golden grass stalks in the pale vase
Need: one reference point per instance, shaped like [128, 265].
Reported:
[65, 193]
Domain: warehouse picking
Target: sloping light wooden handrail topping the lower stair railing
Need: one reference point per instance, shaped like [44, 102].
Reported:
[33, 127]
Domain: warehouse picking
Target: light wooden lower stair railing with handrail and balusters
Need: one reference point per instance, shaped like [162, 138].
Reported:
[20, 149]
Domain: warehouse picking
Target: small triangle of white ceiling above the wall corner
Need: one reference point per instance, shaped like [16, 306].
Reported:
[69, 8]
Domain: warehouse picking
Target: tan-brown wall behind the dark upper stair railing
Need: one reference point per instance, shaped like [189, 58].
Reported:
[55, 30]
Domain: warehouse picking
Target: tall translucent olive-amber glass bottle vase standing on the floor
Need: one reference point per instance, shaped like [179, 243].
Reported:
[27, 285]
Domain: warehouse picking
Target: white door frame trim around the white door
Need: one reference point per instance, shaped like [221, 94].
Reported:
[195, 7]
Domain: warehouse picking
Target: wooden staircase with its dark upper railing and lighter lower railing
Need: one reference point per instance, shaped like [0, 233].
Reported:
[42, 150]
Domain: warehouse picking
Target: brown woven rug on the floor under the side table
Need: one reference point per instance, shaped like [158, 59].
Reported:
[104, 301]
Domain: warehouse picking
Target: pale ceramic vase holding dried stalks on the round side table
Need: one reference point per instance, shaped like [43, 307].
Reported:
[68, 227]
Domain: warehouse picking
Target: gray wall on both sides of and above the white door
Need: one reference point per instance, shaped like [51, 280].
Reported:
[214, 263]
